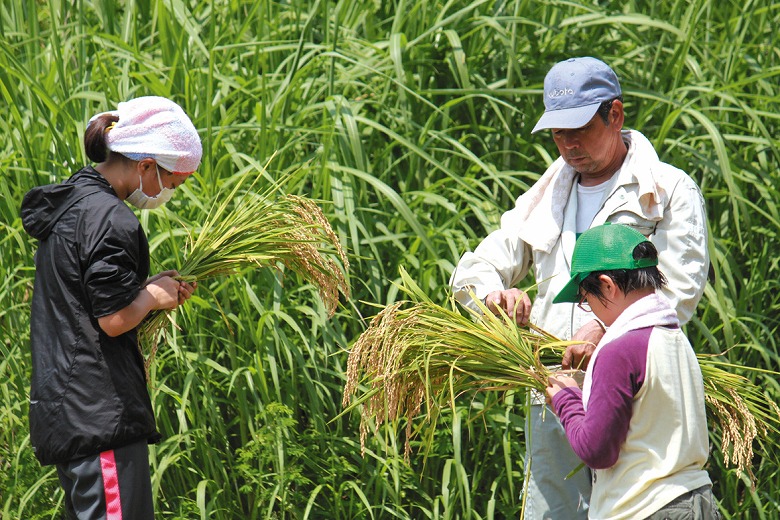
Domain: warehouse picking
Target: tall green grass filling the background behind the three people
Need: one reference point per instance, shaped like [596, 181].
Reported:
[410, 121]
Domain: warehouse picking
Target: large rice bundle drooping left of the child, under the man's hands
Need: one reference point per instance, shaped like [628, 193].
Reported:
[416, 352]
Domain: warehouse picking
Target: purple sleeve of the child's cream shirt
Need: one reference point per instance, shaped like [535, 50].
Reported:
[618, 374]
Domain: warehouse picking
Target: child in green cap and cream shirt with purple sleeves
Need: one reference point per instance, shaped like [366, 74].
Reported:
[639, 420]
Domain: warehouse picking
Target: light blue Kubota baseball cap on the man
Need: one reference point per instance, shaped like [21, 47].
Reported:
[573, 91]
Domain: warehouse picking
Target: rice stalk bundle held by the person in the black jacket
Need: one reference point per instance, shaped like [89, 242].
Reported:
[261, 230]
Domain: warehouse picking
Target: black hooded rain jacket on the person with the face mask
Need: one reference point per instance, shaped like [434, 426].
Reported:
[88, 390]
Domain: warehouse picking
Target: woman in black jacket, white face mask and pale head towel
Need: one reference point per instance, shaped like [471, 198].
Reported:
[90, 411]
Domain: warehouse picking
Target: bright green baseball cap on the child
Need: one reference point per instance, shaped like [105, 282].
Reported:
[603, 248]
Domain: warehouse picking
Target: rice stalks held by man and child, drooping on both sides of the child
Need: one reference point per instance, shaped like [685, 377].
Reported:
[416, 352]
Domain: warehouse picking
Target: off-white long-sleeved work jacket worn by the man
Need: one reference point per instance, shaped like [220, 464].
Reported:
[660, 201]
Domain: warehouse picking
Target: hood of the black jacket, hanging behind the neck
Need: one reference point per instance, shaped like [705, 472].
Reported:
[43, 206]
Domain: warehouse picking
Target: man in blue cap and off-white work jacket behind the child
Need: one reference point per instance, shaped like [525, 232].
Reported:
[603, 174]
